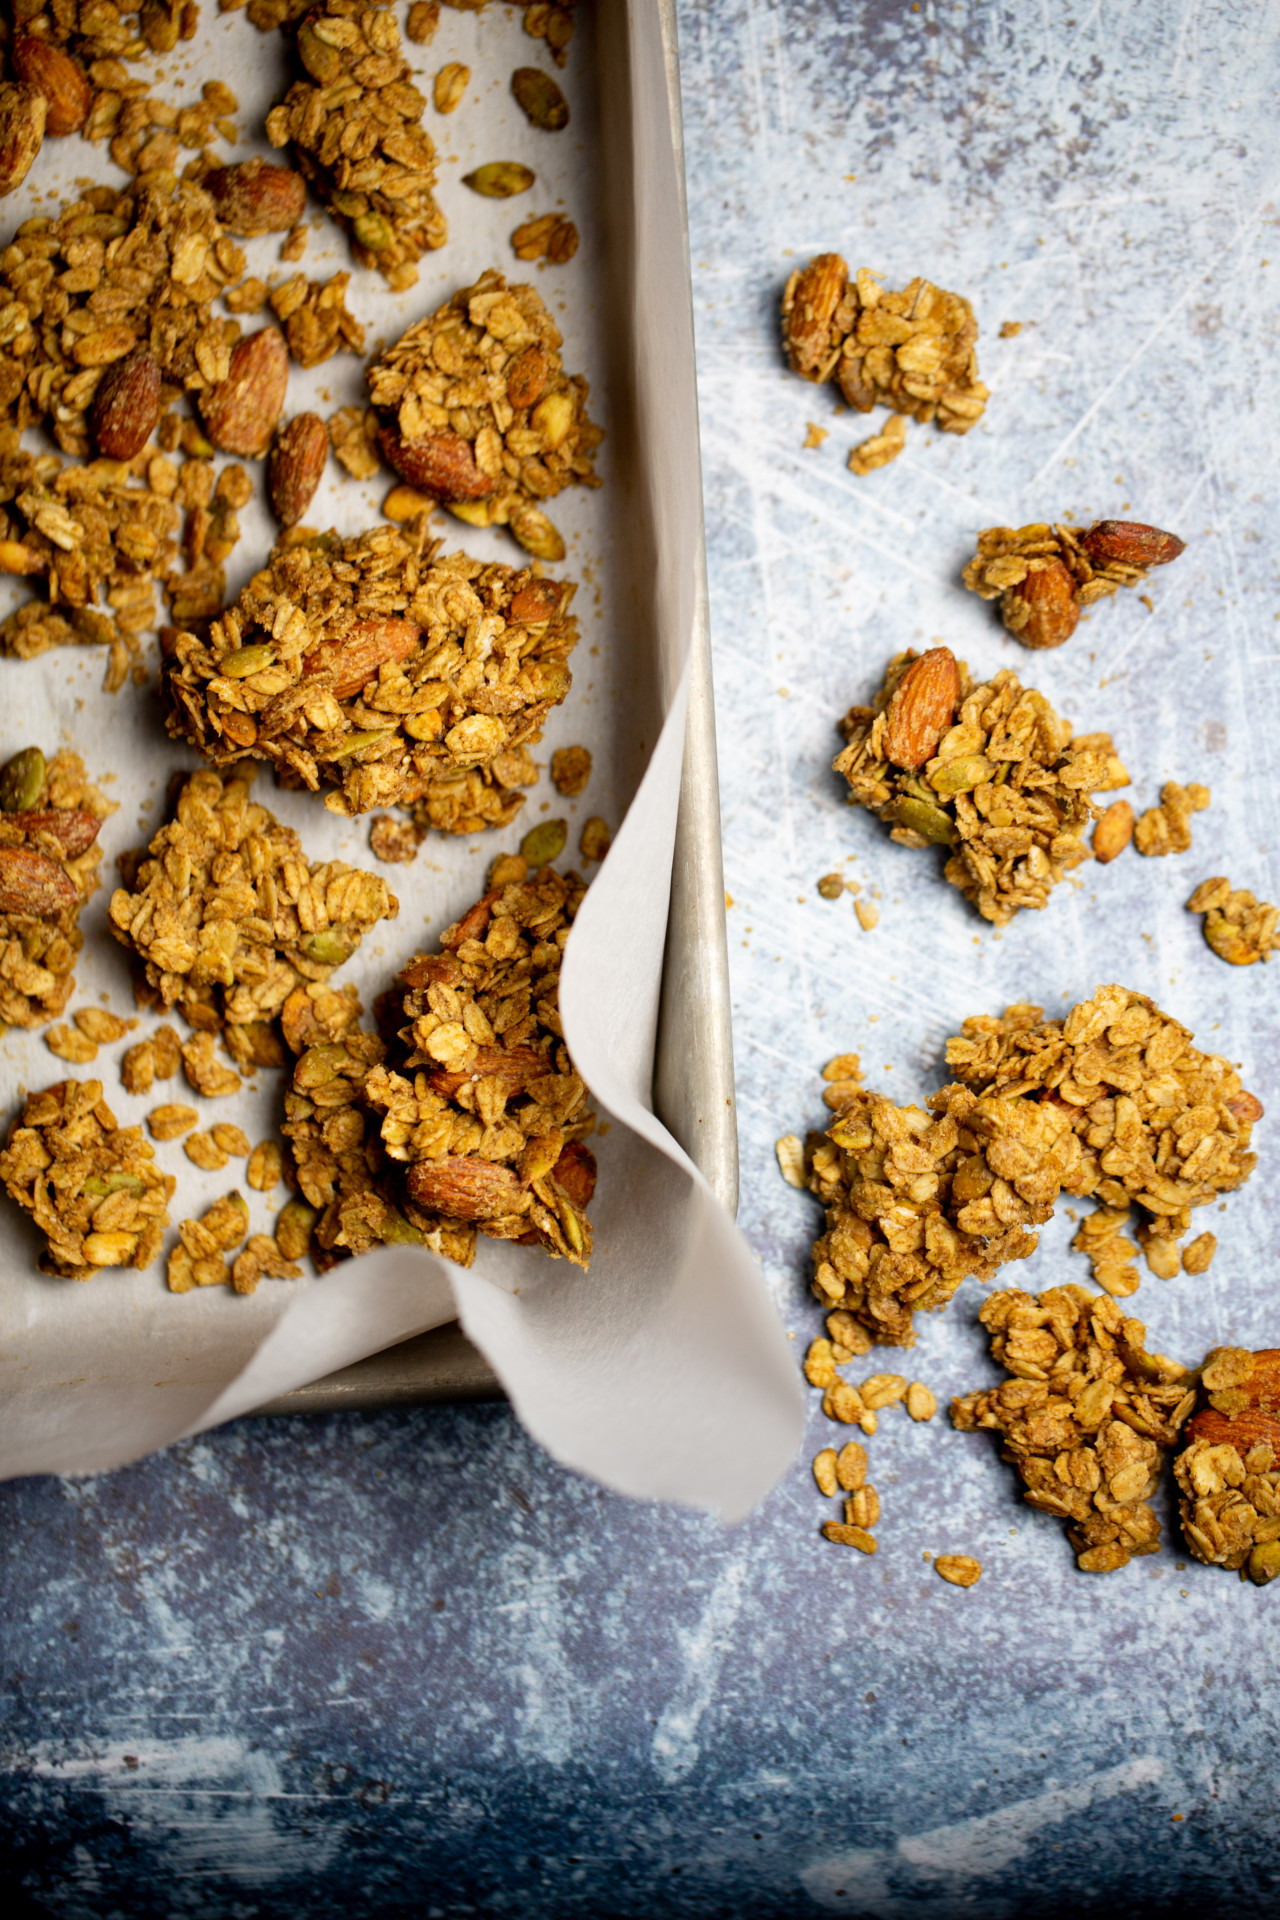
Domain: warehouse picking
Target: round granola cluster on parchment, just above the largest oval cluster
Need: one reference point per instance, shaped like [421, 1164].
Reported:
[477, 412]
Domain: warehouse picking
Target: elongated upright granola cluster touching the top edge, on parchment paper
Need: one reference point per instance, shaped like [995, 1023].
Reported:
[356, 126]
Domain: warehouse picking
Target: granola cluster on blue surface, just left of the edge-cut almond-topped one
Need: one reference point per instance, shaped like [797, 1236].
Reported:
[1087, 1416]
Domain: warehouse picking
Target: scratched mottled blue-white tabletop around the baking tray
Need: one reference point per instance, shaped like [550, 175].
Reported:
[404, 1666]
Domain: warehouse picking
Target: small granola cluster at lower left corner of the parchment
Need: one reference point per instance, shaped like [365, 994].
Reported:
[91, 1188]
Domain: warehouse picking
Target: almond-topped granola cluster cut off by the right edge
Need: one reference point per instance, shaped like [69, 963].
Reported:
[1229, 1472]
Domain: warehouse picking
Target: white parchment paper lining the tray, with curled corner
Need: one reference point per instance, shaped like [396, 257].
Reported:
[663, 1372]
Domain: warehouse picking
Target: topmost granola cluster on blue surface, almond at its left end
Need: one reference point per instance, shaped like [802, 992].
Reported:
[914, 352]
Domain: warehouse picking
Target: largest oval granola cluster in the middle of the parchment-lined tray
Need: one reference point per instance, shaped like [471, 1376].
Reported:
[385, 673]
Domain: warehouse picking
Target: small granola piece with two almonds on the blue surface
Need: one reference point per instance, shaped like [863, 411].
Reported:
[1045, 575]
